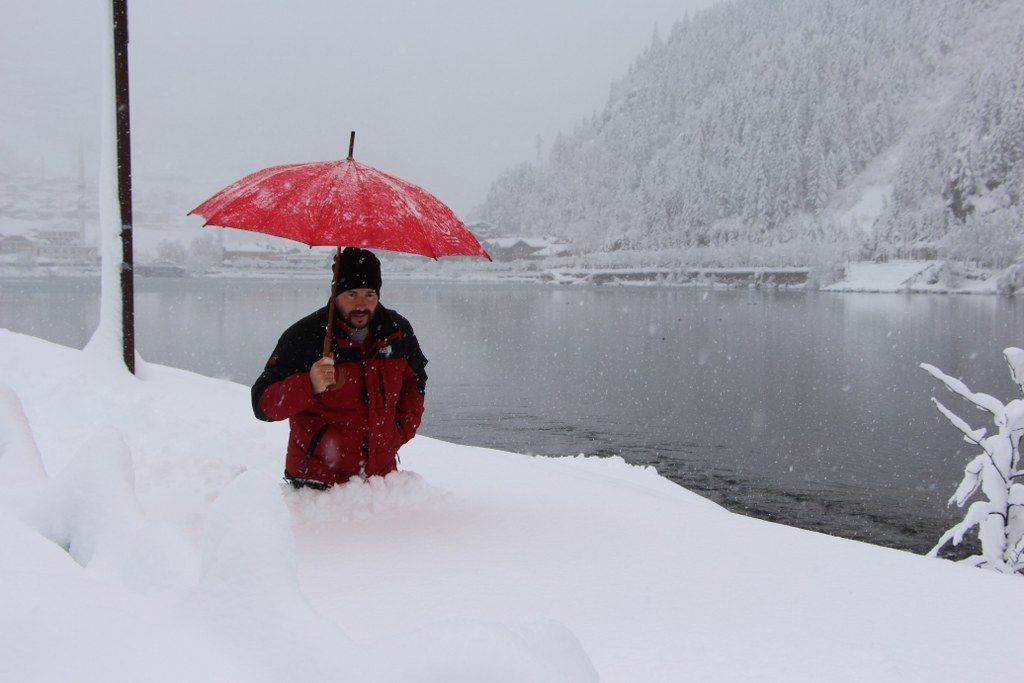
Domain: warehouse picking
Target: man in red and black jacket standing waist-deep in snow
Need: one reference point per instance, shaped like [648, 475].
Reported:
[351, 414]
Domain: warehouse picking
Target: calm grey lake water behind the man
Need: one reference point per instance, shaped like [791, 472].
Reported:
[802, 408]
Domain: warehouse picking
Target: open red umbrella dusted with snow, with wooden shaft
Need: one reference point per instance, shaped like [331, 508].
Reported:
[342, 204]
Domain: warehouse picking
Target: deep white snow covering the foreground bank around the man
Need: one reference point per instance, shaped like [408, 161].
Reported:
[146, 535]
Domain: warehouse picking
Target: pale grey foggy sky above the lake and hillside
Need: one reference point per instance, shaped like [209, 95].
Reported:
[446, 94]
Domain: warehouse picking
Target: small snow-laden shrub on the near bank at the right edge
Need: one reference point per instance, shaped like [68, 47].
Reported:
[997, 471]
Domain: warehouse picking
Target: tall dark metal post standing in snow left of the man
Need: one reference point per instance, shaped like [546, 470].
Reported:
[124, 182]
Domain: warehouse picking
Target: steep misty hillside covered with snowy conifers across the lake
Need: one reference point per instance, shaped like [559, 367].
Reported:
[764, 129]
